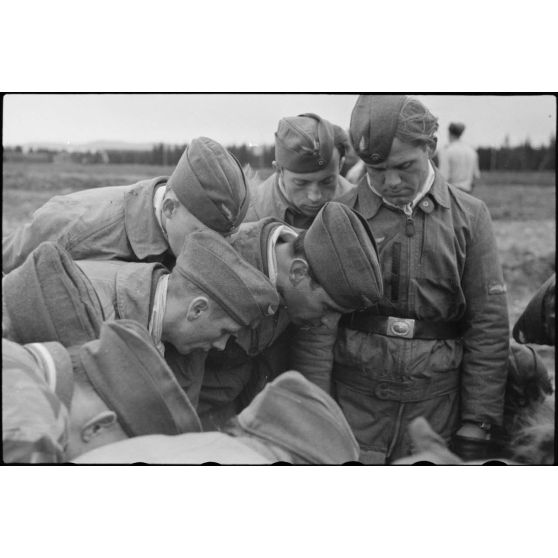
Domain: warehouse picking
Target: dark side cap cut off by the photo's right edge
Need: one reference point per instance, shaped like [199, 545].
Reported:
[537, 322]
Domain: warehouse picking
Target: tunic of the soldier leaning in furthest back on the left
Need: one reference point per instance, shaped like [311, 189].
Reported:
[110, 223]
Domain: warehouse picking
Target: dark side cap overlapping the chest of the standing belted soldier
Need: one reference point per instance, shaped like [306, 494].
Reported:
[343, 256]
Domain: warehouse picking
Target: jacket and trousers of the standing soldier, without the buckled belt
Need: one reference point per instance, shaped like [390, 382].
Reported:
[440, 265]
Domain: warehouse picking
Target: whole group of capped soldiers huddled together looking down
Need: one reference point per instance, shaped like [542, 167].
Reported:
[205, 317]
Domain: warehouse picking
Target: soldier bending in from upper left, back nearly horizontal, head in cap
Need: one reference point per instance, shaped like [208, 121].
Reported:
[144, 222]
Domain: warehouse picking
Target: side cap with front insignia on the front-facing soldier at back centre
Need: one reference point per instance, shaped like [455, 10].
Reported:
[304, 143]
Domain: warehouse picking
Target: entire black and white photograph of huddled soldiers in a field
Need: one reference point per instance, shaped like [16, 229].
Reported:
[250, 279]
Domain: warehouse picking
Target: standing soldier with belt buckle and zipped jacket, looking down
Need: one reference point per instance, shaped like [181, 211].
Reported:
[436, 344]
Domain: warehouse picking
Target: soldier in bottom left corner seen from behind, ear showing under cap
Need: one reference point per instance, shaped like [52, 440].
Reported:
[58, 403]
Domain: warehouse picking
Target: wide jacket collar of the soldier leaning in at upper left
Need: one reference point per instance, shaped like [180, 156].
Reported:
[142, 228]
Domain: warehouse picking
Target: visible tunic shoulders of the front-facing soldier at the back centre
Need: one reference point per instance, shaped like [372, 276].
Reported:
[267, 200]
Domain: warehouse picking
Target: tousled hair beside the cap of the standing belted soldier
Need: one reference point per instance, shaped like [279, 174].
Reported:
[416, 124]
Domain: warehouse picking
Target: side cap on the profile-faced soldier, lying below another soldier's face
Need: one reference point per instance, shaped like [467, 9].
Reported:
[215, 267]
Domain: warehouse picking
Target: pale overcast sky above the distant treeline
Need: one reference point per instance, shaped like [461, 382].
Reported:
[75, 119]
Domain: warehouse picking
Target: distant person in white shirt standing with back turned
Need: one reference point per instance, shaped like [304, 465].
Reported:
[459, 162]
